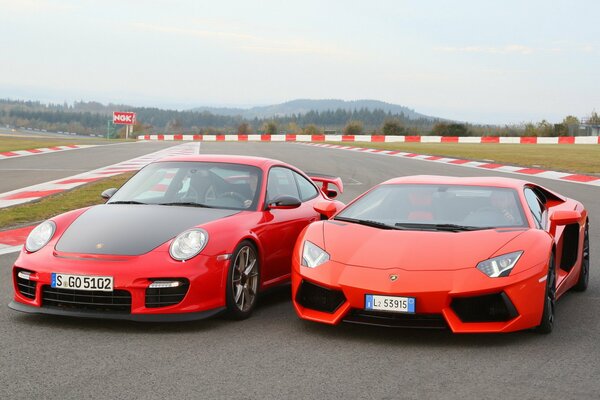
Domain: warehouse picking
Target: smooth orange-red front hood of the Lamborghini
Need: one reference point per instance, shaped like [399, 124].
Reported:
[363, 246]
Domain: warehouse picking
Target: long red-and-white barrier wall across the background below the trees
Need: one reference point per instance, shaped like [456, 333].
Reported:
[378, 139]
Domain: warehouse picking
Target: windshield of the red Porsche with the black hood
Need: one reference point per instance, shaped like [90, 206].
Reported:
[194, 184]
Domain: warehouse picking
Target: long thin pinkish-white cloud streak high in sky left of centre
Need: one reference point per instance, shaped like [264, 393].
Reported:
[244, 41]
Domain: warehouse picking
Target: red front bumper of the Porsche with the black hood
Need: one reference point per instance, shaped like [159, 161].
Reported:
[200, 295]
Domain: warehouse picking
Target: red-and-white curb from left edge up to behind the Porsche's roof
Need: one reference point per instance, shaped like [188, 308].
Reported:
[41, 190]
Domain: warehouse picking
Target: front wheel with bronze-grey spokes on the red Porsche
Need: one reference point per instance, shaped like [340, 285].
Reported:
[243, 280]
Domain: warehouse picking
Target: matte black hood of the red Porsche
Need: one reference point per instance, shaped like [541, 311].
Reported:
[119, 229]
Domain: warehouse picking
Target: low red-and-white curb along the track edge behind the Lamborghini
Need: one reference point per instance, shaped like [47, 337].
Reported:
[559, 176]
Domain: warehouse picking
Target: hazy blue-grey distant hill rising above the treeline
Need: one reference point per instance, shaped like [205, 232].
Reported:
[303, 106]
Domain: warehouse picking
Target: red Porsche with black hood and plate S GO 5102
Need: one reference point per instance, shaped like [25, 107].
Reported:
[183, 239]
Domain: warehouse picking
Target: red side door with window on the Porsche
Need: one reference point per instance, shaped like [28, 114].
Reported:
[281, 227]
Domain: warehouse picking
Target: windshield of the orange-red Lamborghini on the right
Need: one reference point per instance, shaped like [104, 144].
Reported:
[437, 207]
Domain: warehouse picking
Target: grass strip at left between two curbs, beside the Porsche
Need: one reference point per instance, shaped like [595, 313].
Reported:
[50, 206]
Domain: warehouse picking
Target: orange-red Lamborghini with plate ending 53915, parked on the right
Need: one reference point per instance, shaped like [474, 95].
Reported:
[469, 254]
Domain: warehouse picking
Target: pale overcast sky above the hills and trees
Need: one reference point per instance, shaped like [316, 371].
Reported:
[477, 61]
